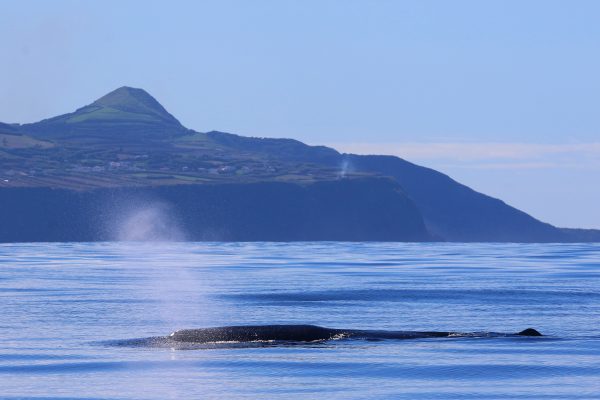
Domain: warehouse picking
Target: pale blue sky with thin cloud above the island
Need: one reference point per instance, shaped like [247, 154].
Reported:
[501, 95]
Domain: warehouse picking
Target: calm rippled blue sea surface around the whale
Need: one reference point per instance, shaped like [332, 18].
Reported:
[62, 304]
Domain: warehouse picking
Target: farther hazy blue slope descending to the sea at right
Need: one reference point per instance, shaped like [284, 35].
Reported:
[458, 213]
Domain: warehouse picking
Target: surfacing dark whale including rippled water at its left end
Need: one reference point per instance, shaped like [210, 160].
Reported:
[296, 334]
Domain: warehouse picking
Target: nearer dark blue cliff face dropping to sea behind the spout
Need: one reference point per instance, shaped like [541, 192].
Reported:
[344, 210]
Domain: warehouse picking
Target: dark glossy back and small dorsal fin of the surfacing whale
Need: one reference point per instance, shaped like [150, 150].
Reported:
[313, 333]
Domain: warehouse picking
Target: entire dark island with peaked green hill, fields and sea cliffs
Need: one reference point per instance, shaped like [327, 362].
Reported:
[80, 176]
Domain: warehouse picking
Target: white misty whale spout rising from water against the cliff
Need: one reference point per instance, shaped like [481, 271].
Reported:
[151, 236]
